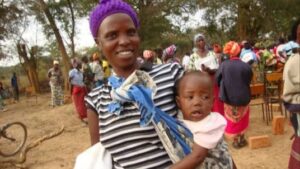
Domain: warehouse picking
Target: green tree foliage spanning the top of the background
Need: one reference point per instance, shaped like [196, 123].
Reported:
[226, 19]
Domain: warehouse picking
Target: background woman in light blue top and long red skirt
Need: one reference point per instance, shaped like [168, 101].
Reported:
[78, 89]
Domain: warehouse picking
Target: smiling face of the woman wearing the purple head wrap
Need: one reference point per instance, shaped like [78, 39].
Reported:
[118, 38]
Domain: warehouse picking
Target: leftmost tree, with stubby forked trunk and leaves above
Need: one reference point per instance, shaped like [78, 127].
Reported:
[13, 23]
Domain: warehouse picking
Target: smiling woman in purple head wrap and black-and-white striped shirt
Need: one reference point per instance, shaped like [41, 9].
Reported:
[114, 27]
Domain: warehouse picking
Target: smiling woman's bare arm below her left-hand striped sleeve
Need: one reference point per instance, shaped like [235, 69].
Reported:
[93, 123]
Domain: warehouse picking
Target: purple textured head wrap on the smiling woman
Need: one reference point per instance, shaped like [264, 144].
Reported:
[109, 7]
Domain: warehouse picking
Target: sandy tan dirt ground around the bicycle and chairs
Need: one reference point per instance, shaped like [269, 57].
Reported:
[60, 152]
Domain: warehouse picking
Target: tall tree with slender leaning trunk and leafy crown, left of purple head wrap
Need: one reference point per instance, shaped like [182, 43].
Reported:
[60, 16]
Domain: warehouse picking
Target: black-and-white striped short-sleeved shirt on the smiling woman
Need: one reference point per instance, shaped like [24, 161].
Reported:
[132, 146]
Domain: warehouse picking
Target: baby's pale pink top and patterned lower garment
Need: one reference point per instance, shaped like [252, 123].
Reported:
[209, 133]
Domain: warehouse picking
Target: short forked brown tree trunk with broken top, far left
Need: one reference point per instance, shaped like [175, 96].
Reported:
[30, 67]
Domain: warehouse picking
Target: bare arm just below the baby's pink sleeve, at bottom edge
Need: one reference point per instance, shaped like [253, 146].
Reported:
[192, 160]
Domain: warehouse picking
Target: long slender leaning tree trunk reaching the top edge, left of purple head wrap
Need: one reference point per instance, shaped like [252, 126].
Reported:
[61, 46]
